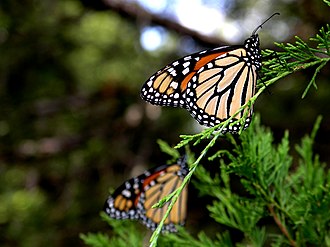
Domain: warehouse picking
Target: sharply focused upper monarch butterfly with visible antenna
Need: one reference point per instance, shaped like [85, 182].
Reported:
[212, 84]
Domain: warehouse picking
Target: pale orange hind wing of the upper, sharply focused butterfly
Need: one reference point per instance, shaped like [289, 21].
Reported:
[220, 87]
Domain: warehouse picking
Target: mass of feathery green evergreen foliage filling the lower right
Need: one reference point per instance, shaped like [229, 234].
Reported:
[295, 196]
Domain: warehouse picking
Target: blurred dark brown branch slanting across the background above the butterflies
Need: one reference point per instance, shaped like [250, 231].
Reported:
[136, 12]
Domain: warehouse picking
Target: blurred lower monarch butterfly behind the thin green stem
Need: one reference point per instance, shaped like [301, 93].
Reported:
[135, 197]
